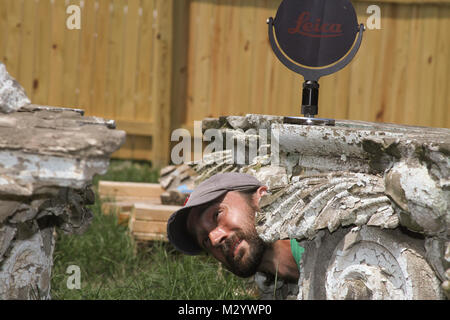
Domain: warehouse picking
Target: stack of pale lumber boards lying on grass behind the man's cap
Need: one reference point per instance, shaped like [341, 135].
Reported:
[139, 206]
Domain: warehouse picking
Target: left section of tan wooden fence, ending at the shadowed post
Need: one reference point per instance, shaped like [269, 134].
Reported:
[117, 65]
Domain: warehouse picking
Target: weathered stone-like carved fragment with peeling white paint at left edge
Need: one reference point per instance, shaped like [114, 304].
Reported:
[48, 157]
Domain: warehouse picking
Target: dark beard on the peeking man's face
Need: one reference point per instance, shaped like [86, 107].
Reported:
[244, 266]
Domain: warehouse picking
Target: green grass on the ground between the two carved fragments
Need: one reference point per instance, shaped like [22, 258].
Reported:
[114, 267]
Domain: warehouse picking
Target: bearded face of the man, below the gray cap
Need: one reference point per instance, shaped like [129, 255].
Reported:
[226, 229]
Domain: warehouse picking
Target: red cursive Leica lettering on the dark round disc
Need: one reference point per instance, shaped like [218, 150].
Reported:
[317, 29]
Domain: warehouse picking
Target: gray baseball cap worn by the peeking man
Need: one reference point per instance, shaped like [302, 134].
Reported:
[207, 191]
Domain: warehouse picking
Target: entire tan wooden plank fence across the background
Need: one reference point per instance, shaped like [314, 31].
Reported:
[156, 65]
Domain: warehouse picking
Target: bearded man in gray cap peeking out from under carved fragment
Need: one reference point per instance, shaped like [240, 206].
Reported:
[219, 218]
